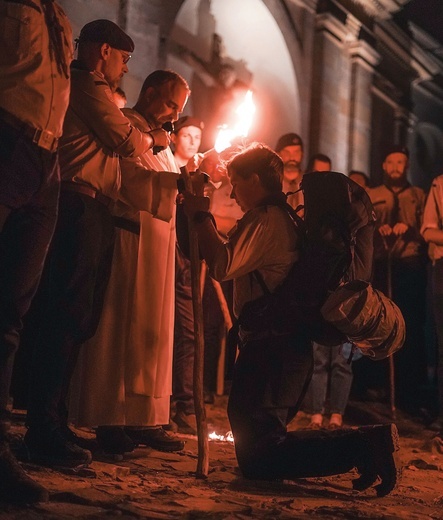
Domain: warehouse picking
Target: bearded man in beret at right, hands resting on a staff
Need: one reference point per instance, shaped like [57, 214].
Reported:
[400, 267]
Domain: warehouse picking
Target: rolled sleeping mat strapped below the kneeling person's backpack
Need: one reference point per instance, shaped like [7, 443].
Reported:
[370, 320]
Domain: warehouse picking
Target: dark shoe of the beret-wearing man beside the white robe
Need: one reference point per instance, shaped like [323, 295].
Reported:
[50, 448]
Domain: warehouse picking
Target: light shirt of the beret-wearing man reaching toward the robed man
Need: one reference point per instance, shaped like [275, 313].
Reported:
[95, 134]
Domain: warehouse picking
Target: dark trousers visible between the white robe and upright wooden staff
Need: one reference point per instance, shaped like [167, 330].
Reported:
[183, 364]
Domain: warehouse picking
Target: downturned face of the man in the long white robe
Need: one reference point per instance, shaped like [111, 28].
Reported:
[166, 102]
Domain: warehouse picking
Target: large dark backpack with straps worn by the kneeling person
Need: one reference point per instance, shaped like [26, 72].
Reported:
[336, 237]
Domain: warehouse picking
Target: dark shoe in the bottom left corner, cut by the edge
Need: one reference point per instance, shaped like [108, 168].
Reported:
[15, 485]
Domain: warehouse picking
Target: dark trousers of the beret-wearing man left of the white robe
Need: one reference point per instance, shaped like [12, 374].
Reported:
[69, 302]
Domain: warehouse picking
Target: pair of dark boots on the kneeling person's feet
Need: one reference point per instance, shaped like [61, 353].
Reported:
[380, 461]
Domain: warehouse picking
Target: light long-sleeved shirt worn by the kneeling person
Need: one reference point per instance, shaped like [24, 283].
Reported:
[264, 239]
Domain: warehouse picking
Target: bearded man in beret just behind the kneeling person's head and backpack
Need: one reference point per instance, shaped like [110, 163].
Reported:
[290, 149]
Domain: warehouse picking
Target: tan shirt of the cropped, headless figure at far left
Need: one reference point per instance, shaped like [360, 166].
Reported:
[31, 87]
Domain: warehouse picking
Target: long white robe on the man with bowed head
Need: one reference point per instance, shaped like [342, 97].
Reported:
[124, 374]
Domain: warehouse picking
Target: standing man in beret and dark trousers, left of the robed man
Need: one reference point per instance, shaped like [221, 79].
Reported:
[76, 274]
